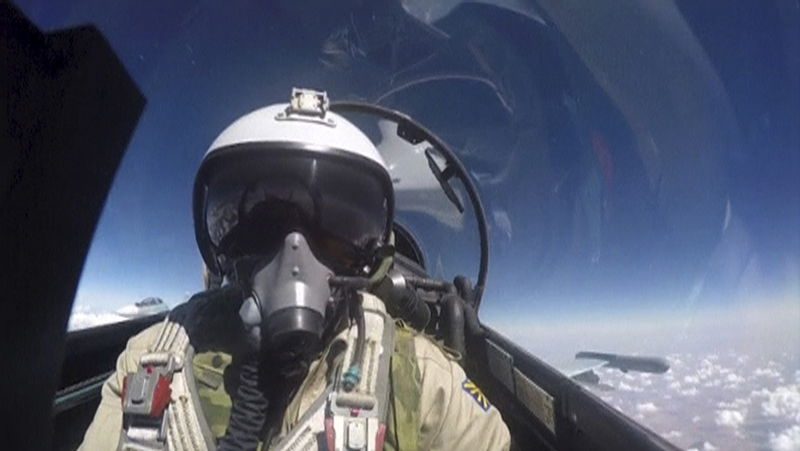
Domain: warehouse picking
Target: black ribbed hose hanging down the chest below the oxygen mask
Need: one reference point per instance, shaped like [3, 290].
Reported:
[248, 411]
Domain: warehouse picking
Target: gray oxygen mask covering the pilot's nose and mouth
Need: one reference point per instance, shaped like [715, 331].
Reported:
[285, 314]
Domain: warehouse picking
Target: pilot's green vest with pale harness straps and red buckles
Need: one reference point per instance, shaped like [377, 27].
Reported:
[176, 399]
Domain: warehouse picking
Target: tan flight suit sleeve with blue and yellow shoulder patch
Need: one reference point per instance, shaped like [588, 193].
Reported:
[454, 413]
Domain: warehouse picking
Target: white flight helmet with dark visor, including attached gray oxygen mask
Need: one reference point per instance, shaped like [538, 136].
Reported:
[299, 193]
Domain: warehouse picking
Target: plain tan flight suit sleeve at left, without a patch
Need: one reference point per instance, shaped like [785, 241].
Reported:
[104, 432]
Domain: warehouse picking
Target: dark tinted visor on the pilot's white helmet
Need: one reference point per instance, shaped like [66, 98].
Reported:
[340, 203]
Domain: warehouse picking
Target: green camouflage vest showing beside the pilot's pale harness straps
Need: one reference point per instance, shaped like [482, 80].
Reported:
[403, 423]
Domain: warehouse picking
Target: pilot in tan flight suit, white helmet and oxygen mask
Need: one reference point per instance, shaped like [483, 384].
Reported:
[275, 355]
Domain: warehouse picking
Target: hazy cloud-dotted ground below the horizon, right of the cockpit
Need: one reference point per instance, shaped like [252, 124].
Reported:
[734, 381]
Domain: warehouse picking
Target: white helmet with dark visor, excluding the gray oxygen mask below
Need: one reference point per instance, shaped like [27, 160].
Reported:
[293, 167]
